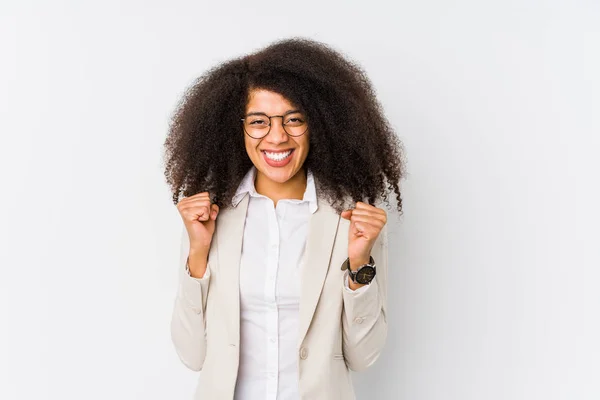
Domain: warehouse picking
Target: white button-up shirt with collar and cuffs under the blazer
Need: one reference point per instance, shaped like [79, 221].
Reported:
[273, 250]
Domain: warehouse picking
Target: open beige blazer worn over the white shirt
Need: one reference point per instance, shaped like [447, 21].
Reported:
[339, 330]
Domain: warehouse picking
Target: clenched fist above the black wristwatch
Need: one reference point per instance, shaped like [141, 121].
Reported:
[366, 222]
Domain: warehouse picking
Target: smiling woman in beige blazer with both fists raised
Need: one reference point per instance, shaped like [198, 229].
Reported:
[280, 156]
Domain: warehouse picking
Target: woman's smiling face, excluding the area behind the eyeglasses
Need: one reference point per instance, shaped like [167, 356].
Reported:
[268, 153]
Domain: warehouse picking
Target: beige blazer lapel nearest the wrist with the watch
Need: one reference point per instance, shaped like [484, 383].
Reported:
[319, 244]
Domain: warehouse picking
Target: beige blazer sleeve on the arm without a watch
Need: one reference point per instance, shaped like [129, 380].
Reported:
[188, 320]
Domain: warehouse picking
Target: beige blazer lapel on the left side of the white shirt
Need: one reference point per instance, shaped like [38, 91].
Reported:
[229, 232]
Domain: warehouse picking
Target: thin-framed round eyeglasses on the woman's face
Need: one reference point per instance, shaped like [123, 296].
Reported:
[258, 125]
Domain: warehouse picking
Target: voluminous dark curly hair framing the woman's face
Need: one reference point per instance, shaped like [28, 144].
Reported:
[354, 153]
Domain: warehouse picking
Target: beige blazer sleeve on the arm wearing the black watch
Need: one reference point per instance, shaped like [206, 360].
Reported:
[364, 316]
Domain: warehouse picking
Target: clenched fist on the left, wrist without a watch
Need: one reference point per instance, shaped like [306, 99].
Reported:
[199, 217]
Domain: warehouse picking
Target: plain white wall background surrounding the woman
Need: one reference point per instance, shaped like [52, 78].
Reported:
[494, 290]
